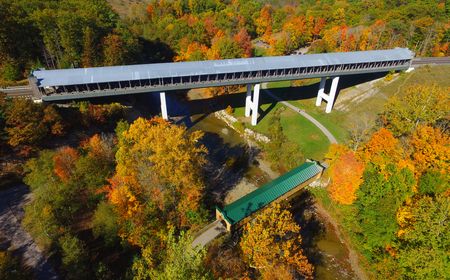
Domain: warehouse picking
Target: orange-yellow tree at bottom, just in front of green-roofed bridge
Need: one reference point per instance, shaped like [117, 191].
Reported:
[273, 240]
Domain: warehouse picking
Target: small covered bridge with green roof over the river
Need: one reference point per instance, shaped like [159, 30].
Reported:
[246, 208]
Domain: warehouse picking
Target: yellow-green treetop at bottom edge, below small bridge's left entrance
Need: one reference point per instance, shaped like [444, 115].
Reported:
[180, 261]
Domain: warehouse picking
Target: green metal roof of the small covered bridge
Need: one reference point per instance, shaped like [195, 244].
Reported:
[259, 198]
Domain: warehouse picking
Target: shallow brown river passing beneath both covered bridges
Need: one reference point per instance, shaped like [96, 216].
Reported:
[237, 168]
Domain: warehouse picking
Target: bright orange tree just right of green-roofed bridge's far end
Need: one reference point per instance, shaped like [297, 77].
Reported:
[347, 177]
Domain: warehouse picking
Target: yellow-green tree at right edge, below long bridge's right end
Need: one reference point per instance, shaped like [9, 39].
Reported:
[420, 105]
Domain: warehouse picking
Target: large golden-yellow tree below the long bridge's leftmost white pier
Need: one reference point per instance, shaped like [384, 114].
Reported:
[161, 162]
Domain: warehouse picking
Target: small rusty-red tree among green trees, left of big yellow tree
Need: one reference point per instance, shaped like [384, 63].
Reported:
[65, 161]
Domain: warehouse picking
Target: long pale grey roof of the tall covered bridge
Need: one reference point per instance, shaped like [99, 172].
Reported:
[185, 69]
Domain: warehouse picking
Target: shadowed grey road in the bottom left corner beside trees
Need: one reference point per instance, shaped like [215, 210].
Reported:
[11, 228]
